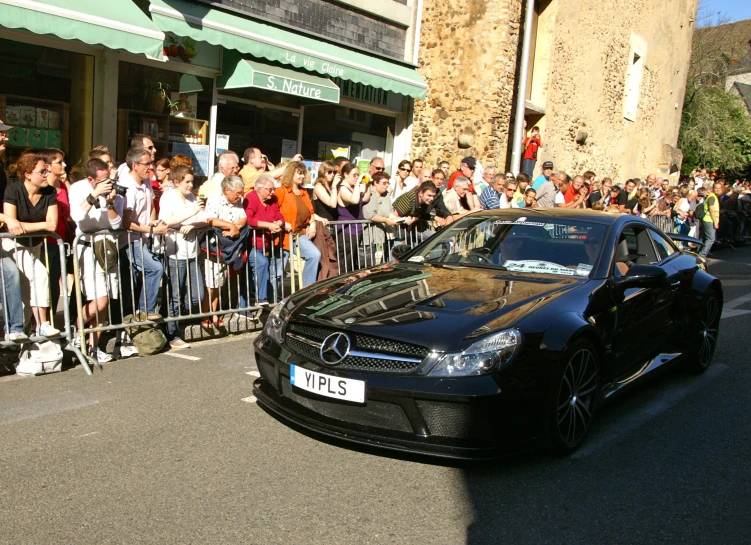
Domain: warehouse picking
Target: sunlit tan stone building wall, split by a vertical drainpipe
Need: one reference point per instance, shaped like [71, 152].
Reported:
[606, 86]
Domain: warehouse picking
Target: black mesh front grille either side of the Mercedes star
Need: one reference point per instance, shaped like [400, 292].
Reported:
[371, 353]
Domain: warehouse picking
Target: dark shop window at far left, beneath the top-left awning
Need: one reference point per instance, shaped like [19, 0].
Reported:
[48, 95]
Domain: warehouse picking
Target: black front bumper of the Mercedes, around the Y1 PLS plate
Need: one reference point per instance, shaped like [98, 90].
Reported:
[465, 418]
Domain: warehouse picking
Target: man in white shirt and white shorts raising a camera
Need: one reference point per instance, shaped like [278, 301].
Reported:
[95, 206]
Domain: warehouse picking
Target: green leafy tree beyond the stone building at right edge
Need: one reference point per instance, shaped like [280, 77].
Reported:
[715, 126]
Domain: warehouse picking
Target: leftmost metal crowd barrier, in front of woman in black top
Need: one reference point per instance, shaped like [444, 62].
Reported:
[14, 277]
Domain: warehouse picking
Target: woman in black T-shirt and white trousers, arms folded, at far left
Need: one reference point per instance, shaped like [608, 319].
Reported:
[30, 207]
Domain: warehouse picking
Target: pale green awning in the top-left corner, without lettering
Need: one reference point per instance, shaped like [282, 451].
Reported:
[117, 24]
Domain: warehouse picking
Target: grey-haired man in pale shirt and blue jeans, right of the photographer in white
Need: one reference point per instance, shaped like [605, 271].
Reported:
[139, 217]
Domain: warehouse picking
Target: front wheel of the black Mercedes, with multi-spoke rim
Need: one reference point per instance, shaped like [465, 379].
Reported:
[573, 398]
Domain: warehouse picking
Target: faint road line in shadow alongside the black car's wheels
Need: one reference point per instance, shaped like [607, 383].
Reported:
[621, 427]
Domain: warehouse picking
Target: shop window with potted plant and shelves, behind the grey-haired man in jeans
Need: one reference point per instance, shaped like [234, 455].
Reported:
[172, 108]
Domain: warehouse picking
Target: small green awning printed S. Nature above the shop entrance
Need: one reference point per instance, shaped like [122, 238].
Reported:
[239, 73]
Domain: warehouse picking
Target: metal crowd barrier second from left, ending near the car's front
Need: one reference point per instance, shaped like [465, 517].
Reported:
[127, 291]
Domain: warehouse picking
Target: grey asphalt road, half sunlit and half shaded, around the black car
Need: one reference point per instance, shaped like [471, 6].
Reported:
[171, 450]
